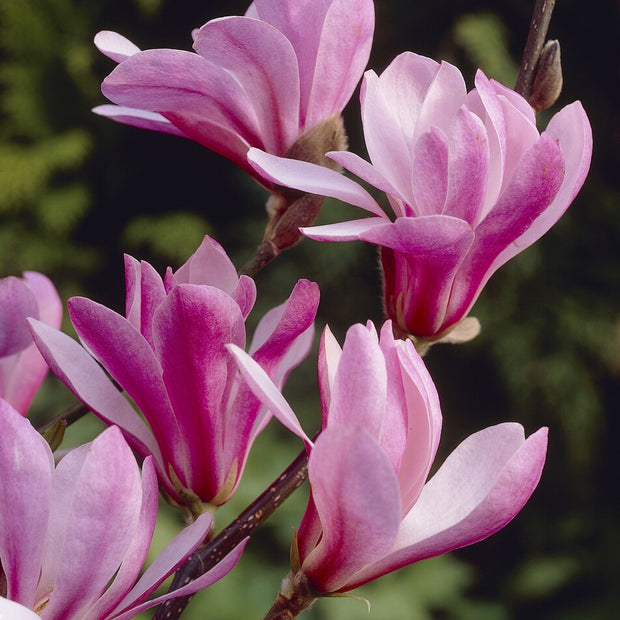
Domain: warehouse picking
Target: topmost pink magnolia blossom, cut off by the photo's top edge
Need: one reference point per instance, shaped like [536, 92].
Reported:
[260, 80]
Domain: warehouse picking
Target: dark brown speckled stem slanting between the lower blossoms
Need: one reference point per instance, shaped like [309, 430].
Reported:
[207, 556]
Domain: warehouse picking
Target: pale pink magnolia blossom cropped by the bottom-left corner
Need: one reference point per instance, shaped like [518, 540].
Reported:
[74, 537]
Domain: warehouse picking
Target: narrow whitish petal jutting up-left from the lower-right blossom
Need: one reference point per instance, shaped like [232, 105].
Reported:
[265, 390]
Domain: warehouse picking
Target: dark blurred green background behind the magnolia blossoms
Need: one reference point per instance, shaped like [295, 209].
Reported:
[77, 190]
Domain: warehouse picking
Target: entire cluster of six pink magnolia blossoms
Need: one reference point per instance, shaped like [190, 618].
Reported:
[469, 182]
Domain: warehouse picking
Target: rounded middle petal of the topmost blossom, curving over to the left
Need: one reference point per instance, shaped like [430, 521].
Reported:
[249, 50]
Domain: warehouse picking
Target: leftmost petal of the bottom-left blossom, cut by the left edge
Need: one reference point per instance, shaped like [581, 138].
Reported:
[26, 466]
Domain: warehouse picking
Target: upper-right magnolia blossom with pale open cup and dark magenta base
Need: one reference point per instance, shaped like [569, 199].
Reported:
[469, 179]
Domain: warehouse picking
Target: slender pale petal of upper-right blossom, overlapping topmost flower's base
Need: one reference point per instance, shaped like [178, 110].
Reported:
[313, 179]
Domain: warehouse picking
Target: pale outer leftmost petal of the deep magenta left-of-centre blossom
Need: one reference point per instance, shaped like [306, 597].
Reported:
[85, 378]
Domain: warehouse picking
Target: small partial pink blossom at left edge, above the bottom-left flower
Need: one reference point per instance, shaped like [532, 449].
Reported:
[22, 369]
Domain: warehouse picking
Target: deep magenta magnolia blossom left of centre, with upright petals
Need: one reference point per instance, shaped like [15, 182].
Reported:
[169, 355]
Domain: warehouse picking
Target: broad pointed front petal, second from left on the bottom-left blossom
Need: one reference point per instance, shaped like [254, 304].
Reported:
[97, 499]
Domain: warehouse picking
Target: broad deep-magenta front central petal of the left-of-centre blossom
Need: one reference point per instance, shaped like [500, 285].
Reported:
[191, 328]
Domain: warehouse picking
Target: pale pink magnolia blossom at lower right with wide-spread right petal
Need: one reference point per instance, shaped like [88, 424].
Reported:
[371, 509]
